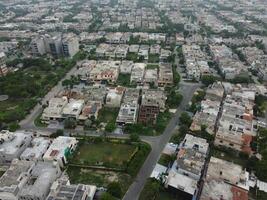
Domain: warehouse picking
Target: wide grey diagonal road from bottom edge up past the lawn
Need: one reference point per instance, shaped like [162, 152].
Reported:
[187, 90]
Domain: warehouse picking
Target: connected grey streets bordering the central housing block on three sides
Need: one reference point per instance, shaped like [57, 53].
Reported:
[157, 142]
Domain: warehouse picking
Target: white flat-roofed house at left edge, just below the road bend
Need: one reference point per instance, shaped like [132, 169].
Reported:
[12, 144]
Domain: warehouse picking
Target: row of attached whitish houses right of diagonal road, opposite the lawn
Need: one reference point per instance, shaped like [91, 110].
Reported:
[188, 168]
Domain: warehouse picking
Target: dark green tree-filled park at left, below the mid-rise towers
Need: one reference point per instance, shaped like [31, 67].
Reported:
[26, 86]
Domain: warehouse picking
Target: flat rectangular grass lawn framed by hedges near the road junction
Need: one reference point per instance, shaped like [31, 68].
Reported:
[104, 154]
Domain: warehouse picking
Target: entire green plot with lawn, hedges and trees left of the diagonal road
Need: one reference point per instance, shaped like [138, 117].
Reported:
[107, 162]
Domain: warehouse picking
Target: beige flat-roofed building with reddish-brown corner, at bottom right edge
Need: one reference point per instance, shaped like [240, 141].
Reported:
[225, 180]
